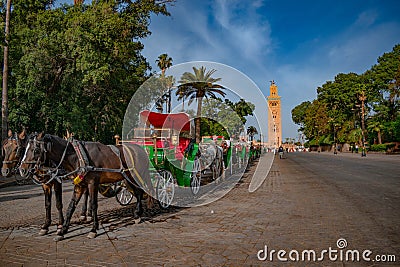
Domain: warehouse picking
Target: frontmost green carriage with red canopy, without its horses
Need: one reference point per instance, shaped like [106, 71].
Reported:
[173, 154]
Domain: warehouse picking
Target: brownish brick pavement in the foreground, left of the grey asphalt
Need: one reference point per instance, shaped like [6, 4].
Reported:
[290, 210]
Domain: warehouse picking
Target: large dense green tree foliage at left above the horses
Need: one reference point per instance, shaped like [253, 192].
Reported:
[76, 67]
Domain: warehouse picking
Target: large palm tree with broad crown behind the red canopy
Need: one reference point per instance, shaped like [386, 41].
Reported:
[196, 86]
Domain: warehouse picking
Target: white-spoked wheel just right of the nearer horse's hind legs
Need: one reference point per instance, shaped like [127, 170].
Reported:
[165, 188]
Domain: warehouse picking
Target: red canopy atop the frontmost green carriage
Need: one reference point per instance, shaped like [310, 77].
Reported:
[177, 121]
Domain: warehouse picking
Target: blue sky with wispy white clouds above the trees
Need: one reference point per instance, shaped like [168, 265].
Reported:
[298, 44]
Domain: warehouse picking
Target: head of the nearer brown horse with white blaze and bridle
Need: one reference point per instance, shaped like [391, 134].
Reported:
[35, 154]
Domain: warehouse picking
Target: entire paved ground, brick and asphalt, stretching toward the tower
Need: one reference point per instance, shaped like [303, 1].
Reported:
[308, 202]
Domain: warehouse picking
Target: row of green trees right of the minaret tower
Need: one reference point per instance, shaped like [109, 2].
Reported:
[338, 107]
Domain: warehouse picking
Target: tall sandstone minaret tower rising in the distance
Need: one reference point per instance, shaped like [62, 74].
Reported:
[274, 117]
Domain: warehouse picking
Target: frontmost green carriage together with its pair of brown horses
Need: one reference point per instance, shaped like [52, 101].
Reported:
[161, 145]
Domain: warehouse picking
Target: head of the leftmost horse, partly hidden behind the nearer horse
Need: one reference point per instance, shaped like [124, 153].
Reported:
[13, 148]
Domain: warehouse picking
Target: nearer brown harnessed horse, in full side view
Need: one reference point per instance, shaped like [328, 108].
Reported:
[105, 167]
